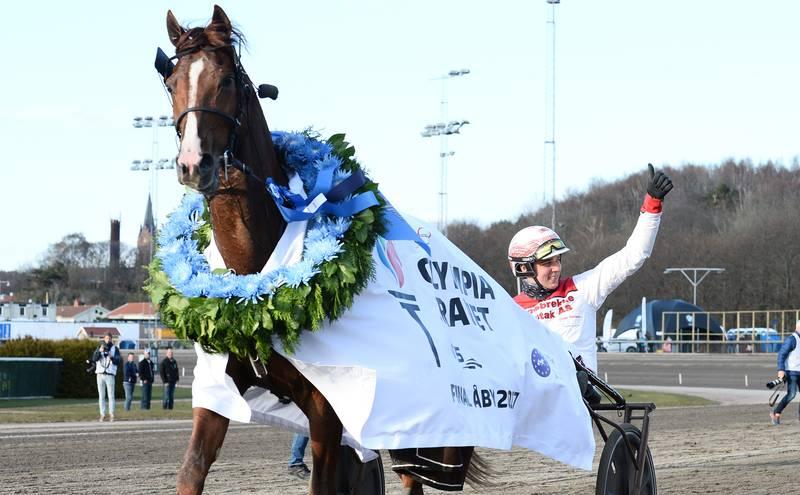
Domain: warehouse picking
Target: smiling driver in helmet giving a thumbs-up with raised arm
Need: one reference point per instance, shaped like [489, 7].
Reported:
[569, 305]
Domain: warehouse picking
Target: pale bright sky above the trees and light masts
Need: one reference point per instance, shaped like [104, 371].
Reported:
[637, 81]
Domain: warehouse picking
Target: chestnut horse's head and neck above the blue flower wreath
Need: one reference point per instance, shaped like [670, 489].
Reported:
[226, 150]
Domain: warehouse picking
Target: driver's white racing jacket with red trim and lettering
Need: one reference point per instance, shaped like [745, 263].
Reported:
[571, 310]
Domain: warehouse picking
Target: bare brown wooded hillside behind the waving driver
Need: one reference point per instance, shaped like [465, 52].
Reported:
[736, 216]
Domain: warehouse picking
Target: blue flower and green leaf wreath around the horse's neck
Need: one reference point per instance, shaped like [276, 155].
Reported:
[242, 314]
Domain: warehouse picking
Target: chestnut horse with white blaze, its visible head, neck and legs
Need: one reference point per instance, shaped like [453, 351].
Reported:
[220, 122]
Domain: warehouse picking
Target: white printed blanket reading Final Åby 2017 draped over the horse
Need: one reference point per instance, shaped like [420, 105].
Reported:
[433, 353]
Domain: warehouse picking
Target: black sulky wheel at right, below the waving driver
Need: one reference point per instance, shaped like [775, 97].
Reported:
[616, 473]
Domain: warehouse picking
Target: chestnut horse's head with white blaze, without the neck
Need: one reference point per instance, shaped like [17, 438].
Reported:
[209, 89]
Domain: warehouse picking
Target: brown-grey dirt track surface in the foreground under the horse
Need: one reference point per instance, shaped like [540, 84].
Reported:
[698, 450]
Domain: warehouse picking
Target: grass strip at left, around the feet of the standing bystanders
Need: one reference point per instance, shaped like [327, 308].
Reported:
[61, 410]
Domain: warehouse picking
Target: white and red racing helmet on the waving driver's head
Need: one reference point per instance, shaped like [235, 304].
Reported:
[530, 245]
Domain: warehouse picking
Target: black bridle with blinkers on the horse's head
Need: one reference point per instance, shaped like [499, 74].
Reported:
[165, 66]
